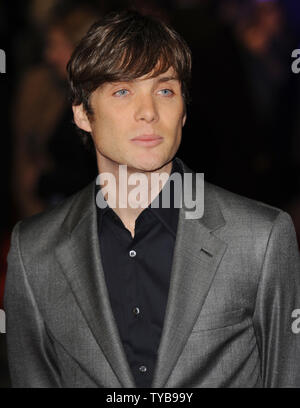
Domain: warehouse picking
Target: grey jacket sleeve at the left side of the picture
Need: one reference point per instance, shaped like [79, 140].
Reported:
[31, 356]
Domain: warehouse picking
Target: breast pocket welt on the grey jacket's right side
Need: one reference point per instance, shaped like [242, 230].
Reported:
[213, 321]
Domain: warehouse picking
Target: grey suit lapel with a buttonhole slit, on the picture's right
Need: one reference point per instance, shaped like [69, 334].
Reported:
[197, 255]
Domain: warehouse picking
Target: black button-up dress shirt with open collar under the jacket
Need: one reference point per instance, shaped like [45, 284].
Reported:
[137, 273]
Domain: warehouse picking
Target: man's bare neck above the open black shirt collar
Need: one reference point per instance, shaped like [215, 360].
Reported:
[120, 194]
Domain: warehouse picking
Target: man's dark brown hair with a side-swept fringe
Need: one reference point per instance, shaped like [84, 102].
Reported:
[124, 46]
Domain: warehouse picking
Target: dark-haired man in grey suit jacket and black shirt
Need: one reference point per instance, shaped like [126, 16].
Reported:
[142, 296]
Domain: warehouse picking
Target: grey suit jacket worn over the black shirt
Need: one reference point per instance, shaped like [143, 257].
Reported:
[235, 283]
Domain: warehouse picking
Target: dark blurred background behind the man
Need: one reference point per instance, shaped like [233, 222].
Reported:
[243, 126]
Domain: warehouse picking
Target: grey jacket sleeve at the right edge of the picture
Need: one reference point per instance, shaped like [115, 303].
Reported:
[277, 308]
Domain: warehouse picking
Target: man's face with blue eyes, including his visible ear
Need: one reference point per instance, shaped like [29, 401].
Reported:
[137, 123]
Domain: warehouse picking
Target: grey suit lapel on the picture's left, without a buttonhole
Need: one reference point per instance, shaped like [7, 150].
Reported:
[79, 256]
